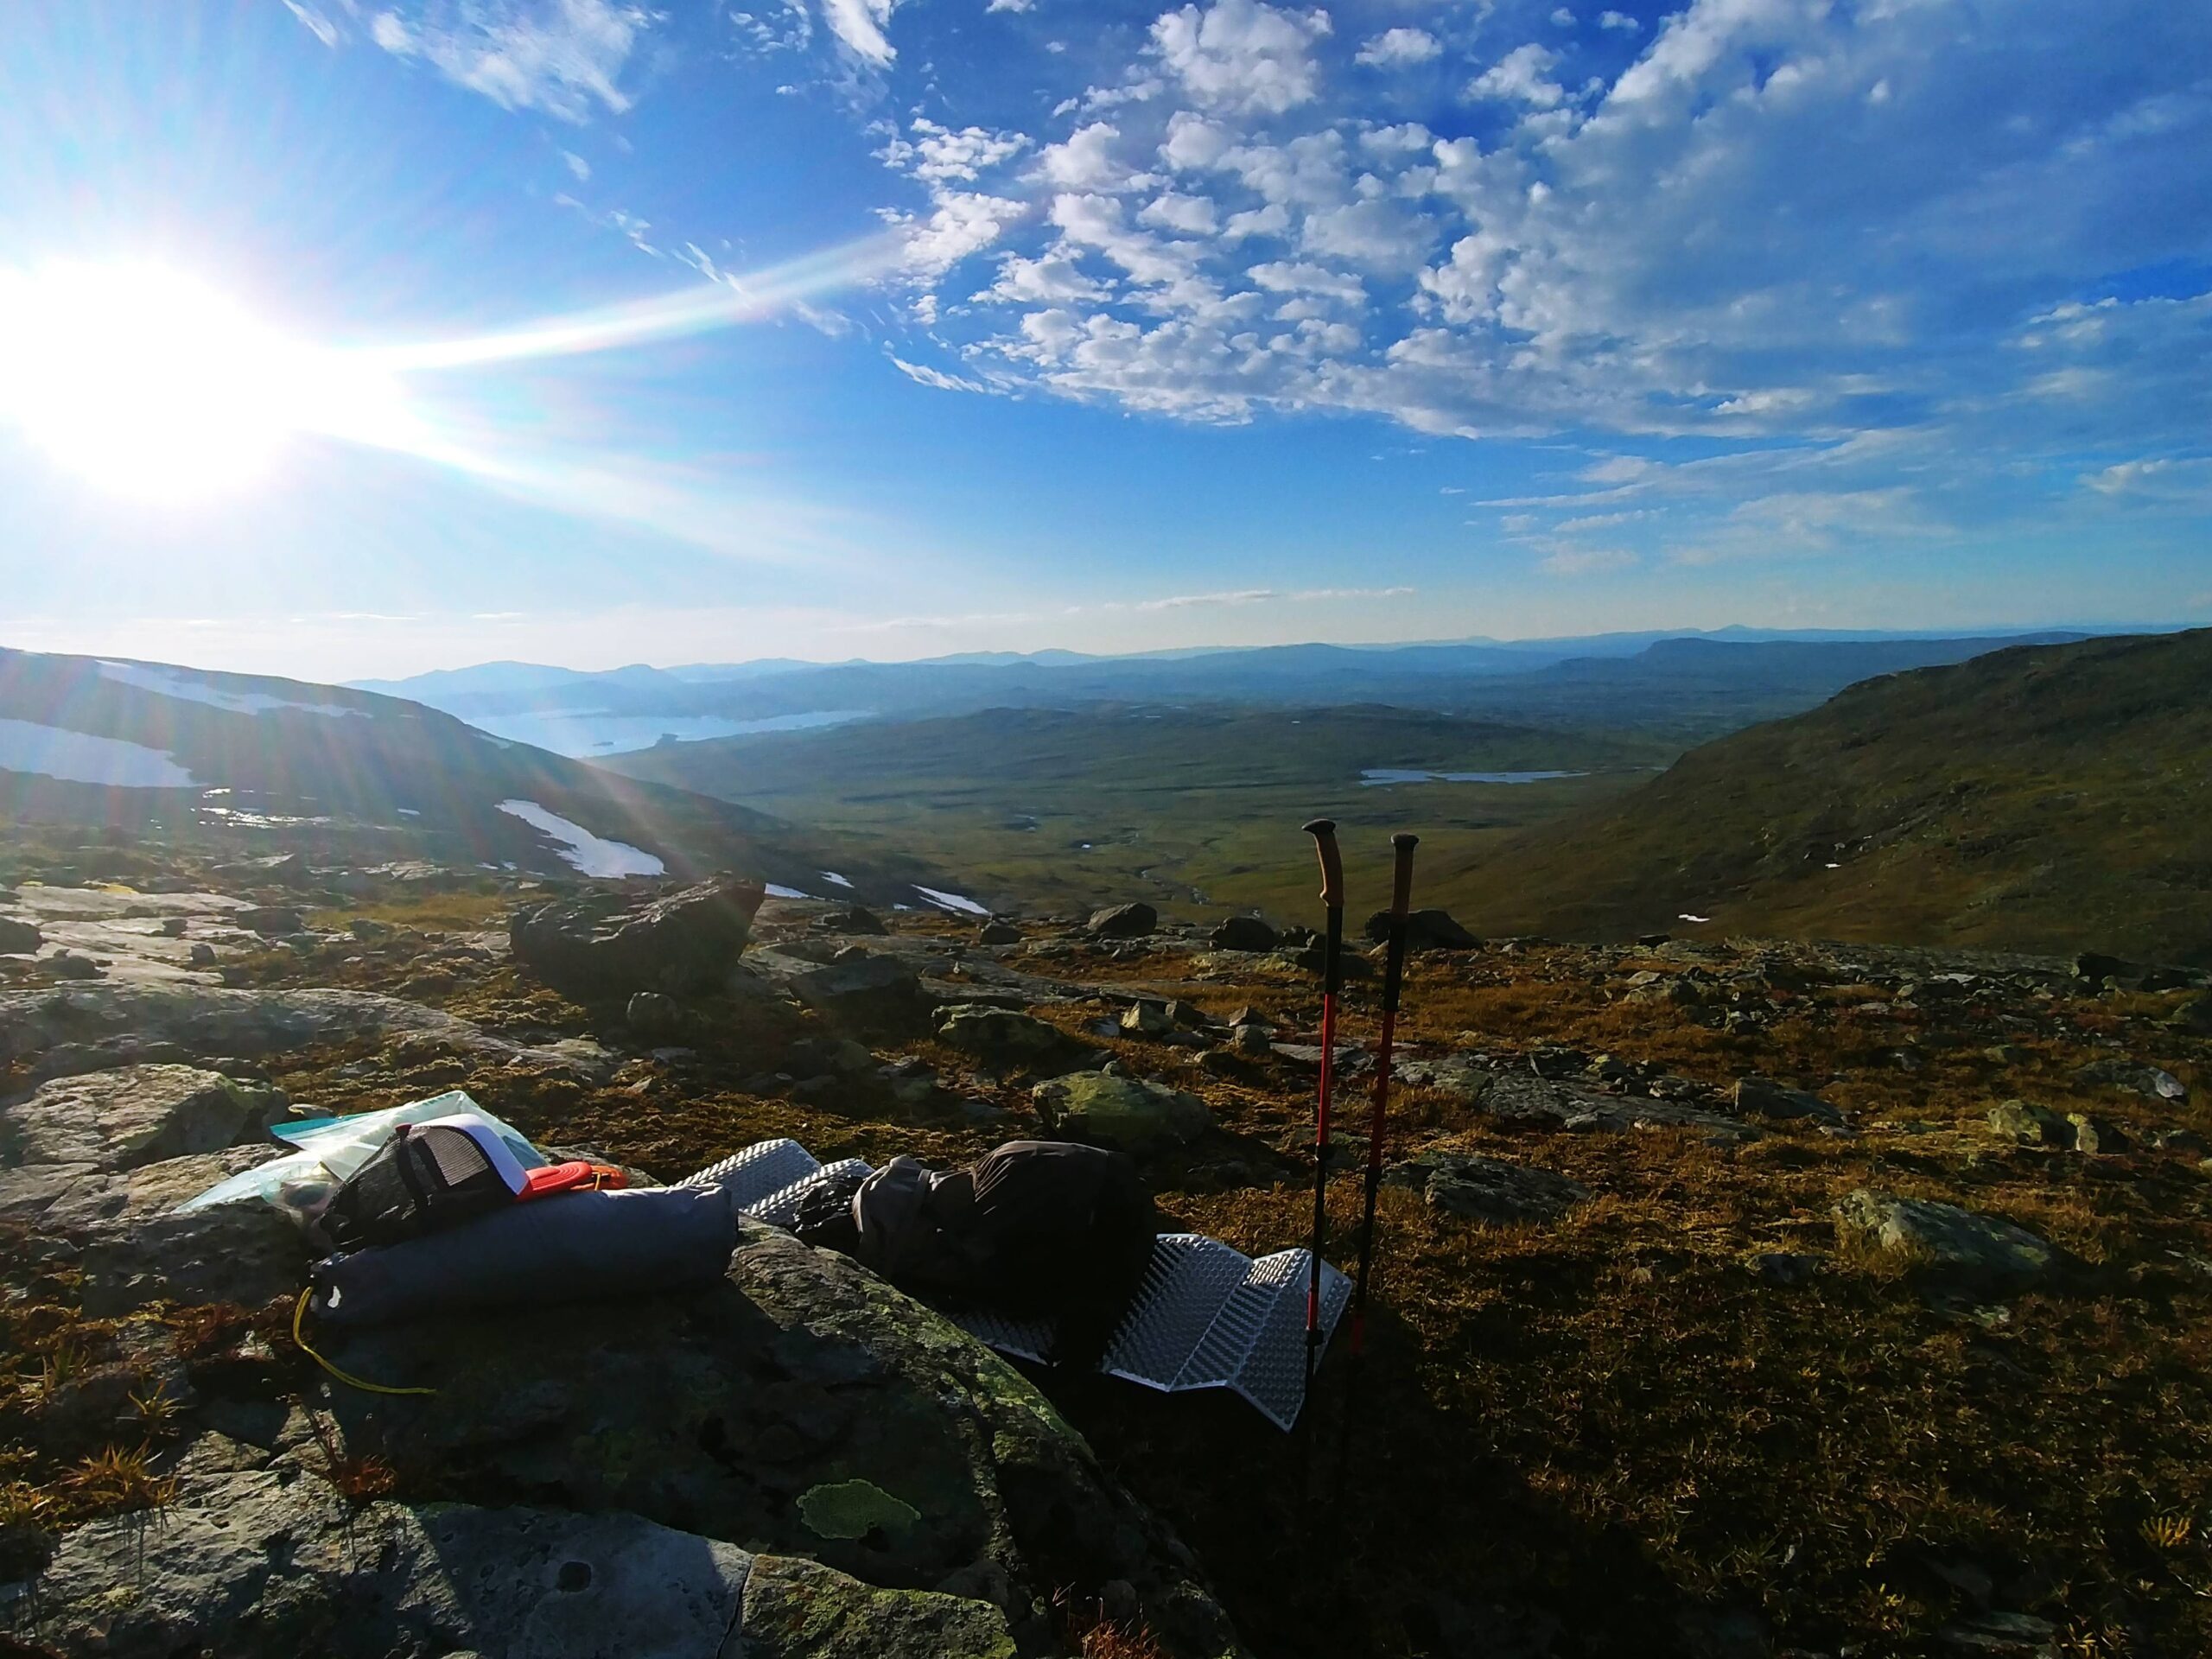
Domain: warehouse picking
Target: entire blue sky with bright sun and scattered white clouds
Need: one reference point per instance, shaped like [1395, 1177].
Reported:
[366, 337]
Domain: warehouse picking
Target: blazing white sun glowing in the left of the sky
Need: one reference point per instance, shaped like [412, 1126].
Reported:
[152, 384]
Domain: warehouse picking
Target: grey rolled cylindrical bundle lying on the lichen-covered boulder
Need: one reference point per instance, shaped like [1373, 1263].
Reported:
[570, 1249]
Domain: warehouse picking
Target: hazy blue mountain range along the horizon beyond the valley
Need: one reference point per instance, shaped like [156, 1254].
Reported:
[1693, 685]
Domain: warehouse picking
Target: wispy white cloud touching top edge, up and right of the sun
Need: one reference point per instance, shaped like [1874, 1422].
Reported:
[554, 56]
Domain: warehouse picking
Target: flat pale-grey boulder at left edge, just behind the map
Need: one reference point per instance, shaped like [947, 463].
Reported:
[116, 1120]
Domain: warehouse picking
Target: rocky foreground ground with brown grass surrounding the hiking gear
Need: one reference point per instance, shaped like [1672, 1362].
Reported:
[1735, 1297]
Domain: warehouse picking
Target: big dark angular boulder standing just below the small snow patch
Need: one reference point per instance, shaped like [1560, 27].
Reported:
[614, 946]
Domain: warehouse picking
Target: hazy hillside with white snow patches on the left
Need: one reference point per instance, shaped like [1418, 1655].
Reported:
[202, 758]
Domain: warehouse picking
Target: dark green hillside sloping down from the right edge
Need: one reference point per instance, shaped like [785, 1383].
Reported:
[2052, 797]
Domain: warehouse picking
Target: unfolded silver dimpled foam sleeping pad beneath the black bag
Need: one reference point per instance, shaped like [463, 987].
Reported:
[1207, 1317]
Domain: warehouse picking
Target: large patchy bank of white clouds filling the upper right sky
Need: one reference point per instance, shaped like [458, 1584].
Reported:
[1231, 218]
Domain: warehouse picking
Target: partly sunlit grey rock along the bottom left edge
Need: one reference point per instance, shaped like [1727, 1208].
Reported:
[269, 1565]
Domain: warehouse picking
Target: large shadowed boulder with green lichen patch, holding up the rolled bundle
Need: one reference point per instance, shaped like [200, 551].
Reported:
[800, 1410]
